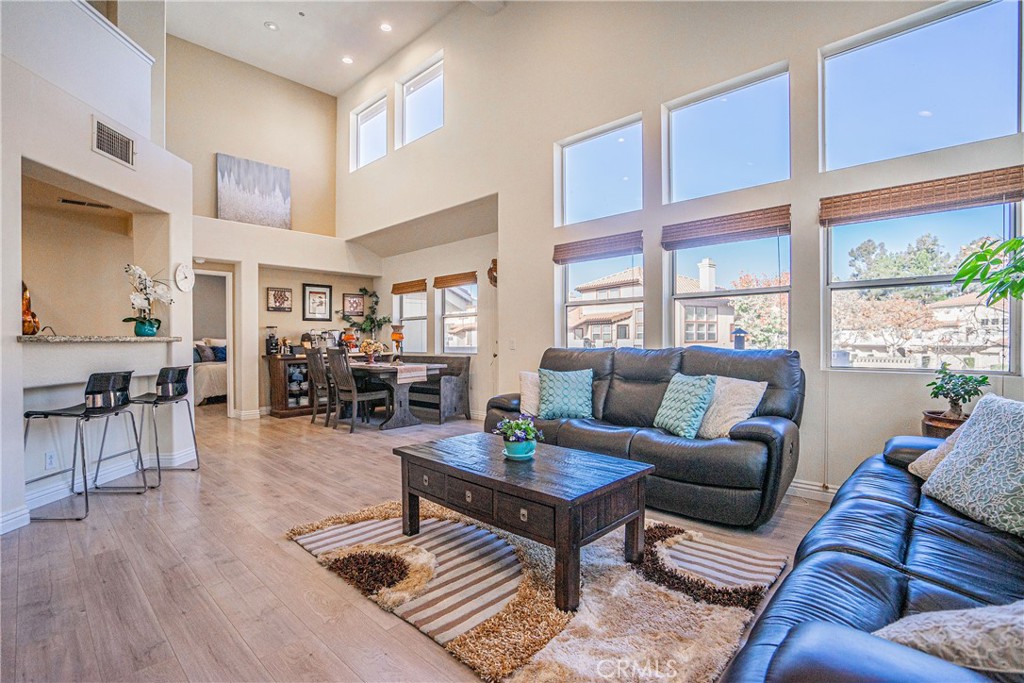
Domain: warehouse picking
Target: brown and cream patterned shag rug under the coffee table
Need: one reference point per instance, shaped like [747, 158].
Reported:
[488, 595]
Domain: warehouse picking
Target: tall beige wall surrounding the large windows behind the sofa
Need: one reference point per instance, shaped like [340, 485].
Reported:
[537, 73]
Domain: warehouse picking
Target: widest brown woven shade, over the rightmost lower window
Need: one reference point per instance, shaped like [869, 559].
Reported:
[961, 192]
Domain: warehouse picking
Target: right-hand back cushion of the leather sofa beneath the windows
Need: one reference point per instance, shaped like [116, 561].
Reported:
[781, 369]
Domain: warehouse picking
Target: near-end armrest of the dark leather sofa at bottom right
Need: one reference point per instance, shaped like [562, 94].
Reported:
[809, 655]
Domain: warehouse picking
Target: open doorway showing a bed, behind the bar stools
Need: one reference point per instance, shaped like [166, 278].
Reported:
[214, 328]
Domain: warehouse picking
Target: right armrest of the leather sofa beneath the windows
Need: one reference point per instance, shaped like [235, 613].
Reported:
[783, 439]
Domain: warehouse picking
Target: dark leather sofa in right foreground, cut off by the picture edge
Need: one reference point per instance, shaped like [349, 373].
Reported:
[883, 551]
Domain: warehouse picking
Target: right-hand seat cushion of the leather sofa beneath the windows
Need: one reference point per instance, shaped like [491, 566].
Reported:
[719, 462]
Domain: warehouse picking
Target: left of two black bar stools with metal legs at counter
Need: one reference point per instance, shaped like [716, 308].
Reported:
[107, 396]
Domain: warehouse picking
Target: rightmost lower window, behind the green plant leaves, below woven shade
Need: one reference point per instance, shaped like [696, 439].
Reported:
[892, 303]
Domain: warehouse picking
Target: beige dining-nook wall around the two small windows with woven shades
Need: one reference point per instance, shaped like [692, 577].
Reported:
[474, 254]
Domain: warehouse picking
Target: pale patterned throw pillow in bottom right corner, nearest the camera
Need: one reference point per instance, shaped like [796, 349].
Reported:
[987, 639]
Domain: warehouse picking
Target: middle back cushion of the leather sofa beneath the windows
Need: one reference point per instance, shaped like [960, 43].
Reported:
[638, 383]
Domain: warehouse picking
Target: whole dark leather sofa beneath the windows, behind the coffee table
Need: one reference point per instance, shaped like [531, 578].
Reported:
[739, 481]
